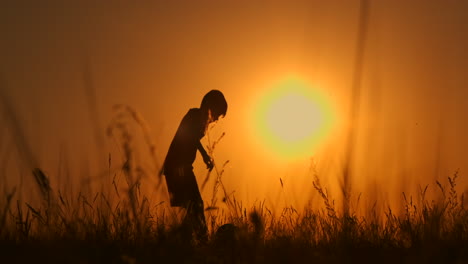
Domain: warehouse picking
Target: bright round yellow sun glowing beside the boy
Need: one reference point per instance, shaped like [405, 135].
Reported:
[292, 118]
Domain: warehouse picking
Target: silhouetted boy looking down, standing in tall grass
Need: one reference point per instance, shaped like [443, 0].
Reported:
[180, 179]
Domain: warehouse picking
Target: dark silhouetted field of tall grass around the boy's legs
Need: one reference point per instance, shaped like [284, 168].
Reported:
[121, 225]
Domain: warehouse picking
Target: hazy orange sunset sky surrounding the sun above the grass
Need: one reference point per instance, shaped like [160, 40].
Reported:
[161, 58]
